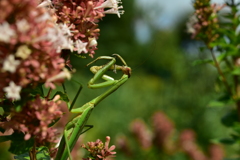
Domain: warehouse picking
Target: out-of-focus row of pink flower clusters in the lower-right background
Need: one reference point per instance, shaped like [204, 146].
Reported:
[164, 137]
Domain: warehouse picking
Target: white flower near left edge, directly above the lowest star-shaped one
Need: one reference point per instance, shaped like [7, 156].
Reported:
[10, 64]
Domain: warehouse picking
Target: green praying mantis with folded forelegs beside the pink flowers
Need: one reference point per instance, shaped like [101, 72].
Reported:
[74, 128]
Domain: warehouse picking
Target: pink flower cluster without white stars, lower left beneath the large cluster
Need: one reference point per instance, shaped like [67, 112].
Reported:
[34, 120]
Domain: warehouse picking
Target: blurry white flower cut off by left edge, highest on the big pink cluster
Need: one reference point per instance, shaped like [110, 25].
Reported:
[6, 32]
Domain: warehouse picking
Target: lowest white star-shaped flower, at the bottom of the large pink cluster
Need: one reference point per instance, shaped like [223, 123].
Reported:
[13, 91]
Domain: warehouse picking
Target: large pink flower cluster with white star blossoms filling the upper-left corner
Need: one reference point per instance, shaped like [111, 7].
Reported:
[29, 47]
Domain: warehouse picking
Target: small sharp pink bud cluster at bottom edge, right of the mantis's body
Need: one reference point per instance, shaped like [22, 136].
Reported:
[98, 150]
